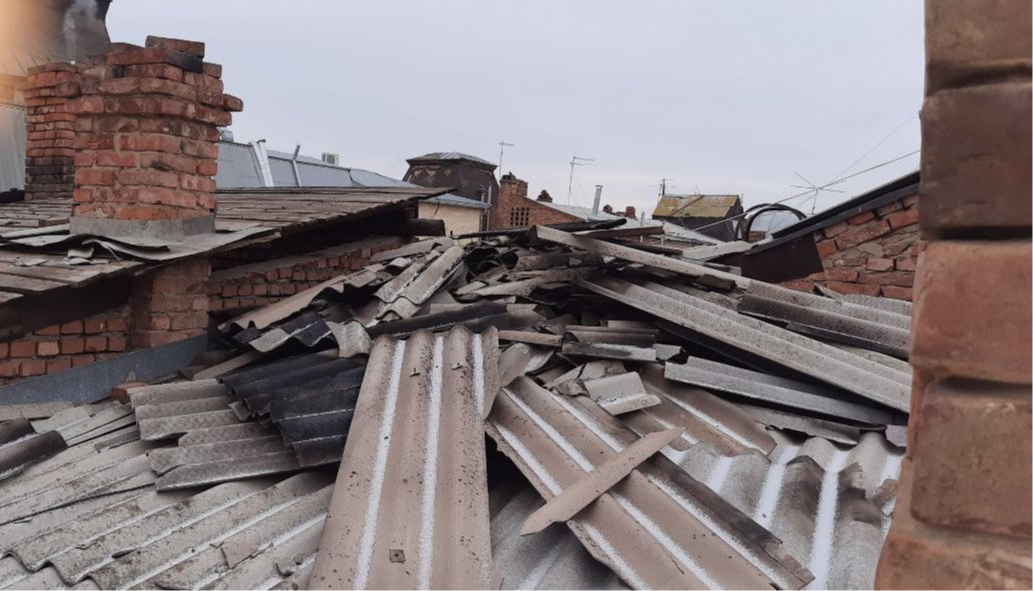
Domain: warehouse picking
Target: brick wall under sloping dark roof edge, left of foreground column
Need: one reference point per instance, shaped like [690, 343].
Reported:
[874, 254]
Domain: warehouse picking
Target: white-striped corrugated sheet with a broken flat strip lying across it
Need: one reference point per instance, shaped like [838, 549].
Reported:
[659, 527]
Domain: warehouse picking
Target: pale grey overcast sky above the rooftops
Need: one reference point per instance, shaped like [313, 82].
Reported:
[725, 97]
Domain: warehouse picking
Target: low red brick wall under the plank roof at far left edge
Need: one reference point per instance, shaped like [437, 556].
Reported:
[64, 347]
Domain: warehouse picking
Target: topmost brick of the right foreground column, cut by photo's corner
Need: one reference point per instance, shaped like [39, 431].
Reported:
[965, 40]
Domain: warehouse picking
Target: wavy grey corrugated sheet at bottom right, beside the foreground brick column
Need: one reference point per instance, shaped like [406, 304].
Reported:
[830, 506]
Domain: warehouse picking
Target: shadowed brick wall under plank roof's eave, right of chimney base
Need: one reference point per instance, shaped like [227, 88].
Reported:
[270, 282]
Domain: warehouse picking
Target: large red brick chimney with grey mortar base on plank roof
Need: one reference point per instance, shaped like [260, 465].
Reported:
[147, 123]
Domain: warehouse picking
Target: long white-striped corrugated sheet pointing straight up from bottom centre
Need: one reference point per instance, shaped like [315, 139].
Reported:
[417, 442]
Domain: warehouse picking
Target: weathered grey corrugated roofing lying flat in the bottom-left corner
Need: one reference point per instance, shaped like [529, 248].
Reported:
[91, 517]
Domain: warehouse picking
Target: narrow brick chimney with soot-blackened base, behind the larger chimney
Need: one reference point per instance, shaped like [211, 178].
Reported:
[50, 153]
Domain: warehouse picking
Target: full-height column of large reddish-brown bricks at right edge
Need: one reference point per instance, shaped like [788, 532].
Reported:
[965, 516]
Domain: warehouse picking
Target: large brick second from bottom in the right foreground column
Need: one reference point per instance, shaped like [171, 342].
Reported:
[964, 461]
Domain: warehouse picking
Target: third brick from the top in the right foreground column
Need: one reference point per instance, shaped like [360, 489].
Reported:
[965, 290]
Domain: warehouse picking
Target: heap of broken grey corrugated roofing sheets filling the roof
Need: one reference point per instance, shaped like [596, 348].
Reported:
[653, 422]
